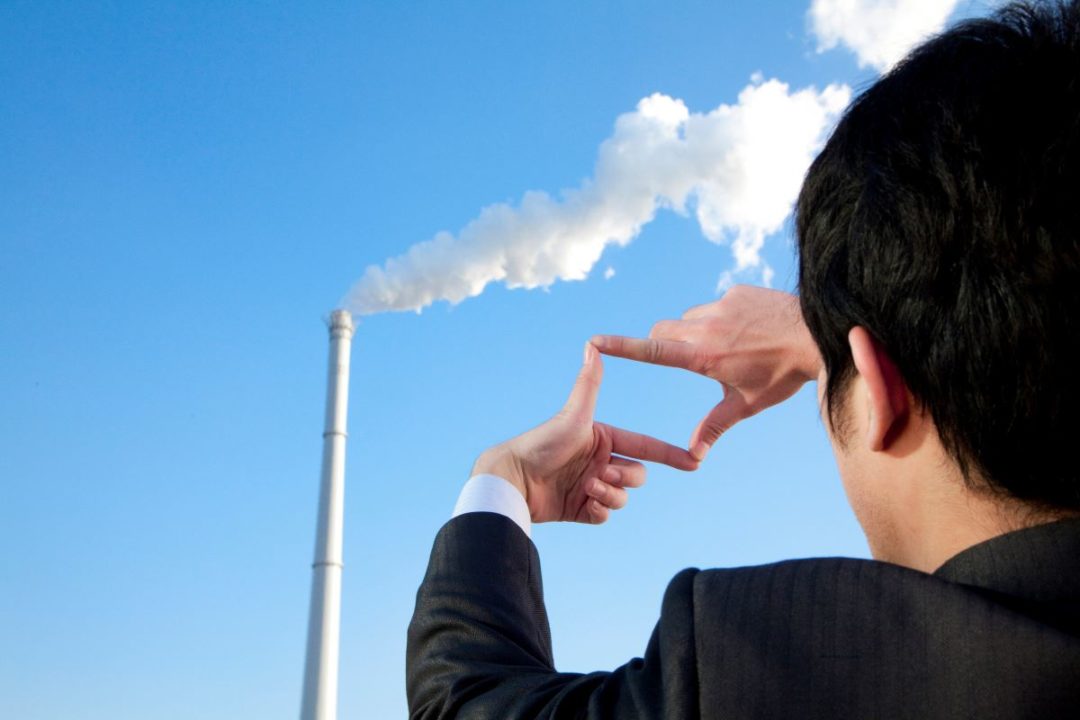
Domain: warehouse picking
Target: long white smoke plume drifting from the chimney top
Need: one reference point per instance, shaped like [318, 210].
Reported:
[738, 168]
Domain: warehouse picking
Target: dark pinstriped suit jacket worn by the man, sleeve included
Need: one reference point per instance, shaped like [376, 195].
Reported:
[995, 633]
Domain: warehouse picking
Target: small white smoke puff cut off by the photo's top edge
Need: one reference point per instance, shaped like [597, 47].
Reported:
[879, 32]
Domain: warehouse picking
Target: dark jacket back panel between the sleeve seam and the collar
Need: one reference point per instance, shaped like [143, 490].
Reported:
[843, 637]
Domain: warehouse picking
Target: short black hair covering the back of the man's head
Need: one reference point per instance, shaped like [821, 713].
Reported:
[943, 219]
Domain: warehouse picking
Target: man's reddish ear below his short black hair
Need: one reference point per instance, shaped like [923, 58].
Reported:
[886, 391]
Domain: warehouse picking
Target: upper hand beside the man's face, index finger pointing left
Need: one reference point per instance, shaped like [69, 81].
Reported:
[753, 342]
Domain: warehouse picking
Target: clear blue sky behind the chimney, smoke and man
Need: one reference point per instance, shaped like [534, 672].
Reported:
[190, 188]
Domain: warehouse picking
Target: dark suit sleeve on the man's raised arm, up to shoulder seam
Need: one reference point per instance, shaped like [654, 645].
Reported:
[480, 645]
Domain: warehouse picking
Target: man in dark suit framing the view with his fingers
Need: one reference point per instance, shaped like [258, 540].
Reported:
[939, 240]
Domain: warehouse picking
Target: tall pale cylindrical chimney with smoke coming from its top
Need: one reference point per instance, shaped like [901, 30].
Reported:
[325, 621]
